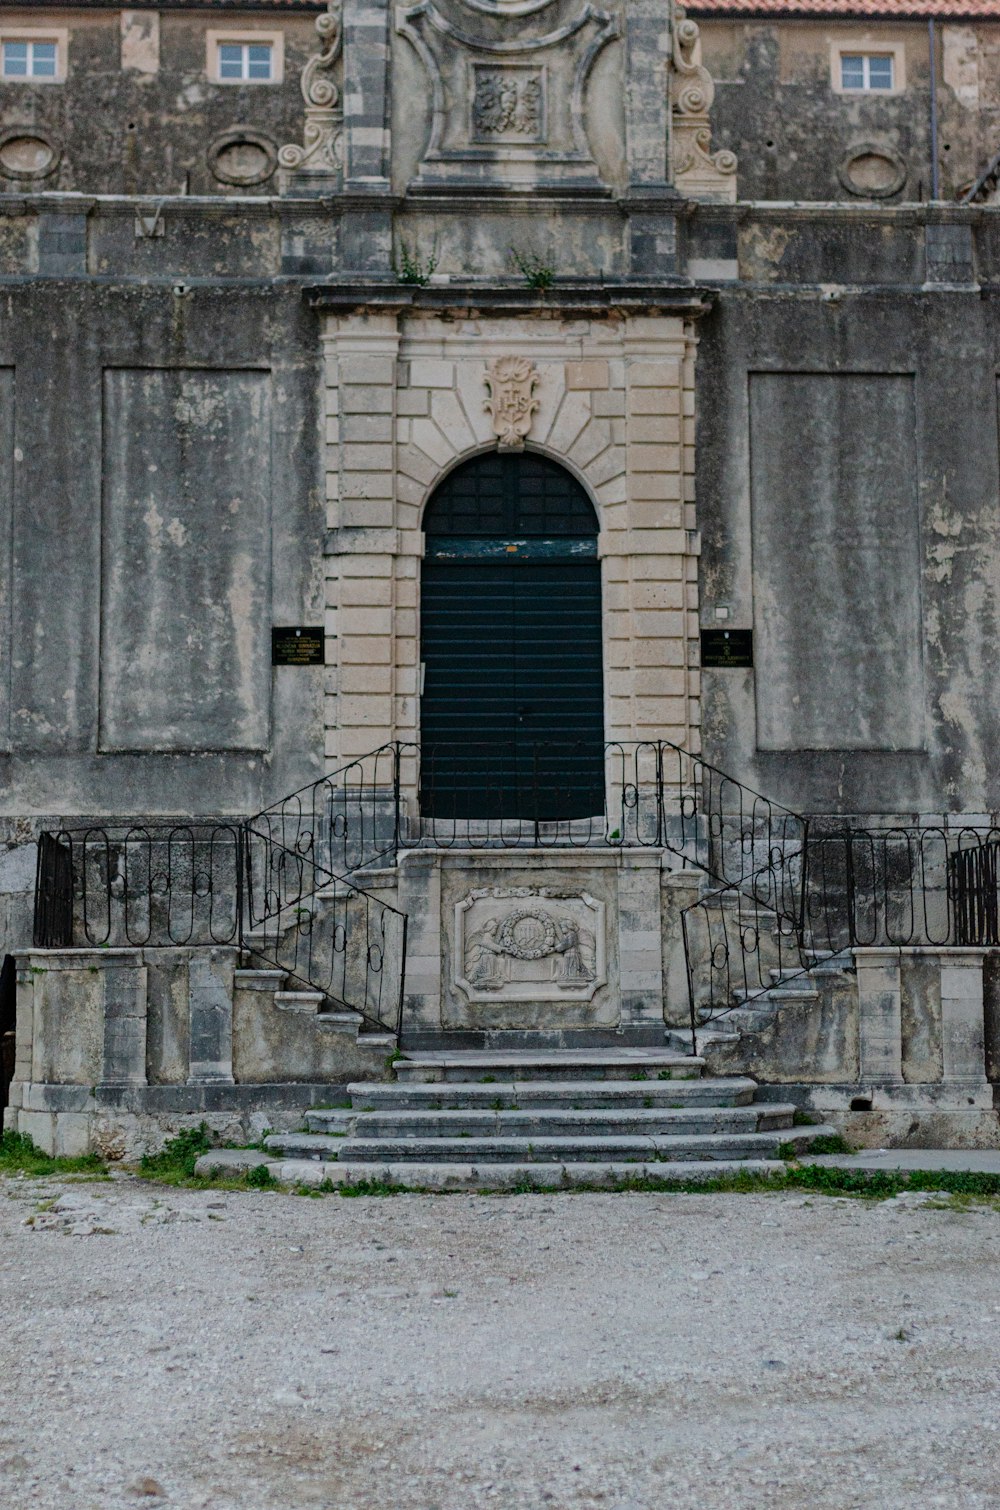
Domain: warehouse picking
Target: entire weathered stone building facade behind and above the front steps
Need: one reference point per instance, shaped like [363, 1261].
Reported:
[748, 458]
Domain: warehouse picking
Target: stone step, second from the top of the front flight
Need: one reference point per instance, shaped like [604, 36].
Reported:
[540, 1094]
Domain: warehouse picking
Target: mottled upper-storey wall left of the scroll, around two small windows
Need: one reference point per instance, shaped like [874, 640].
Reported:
[138, 111]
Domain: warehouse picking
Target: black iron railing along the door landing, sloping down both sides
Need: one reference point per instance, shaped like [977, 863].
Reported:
[641, 794]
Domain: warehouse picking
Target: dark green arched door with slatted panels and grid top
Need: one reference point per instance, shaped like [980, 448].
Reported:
[513, 704]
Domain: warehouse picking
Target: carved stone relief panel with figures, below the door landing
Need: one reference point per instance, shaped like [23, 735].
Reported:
[529, 945]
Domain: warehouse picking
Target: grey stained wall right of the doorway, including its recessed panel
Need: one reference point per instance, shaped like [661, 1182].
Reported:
[848, 485]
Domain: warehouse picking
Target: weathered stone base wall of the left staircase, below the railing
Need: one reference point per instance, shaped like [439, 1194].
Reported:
[119, 1049]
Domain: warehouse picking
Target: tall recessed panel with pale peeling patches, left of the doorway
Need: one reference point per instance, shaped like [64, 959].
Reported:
[187, 561]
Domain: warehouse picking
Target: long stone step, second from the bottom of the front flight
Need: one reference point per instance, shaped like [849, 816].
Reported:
[681, 1148]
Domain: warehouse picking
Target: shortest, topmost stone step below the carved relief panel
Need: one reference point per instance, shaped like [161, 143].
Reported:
[566, 1064]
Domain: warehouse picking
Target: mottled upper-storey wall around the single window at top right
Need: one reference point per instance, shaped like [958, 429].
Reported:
[798, 138]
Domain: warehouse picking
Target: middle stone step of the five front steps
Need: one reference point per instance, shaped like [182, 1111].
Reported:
[644, 1121]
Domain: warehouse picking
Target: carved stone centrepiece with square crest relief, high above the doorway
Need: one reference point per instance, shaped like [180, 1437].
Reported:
[508, 85]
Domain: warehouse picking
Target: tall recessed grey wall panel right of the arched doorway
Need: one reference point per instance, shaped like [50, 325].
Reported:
[836, 546]
